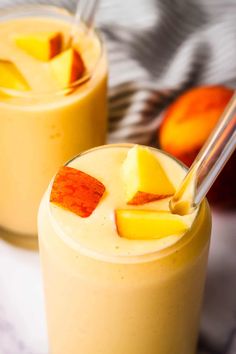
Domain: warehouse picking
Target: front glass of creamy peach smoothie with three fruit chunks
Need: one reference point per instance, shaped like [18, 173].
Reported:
[121, 273]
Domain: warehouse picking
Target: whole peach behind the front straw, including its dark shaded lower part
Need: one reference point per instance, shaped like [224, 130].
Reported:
[187, 124]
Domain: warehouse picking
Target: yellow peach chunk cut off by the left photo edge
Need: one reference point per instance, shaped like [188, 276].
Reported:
[11, 78]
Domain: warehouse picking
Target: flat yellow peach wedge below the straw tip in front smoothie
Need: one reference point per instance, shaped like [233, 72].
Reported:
[148, 224]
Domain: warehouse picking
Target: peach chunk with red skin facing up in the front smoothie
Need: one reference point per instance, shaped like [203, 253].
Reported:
[76, 191]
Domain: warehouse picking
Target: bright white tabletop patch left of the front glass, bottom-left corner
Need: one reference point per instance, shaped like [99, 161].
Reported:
[22, 321]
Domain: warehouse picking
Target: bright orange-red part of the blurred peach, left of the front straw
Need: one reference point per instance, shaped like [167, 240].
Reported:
[190, 119]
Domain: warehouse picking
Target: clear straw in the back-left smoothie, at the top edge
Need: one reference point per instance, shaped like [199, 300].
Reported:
[85, 13]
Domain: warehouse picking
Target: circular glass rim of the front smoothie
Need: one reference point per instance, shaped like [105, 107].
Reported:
[125, 259]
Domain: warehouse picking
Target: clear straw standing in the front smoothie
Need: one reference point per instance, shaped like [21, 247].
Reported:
[208, 164]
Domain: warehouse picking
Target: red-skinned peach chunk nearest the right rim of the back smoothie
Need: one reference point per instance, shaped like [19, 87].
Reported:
[67, 67]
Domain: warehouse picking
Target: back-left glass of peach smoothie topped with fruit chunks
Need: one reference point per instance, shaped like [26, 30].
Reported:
[52, 105]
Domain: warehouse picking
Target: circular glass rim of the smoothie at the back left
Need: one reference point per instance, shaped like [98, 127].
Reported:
[24, 10]
